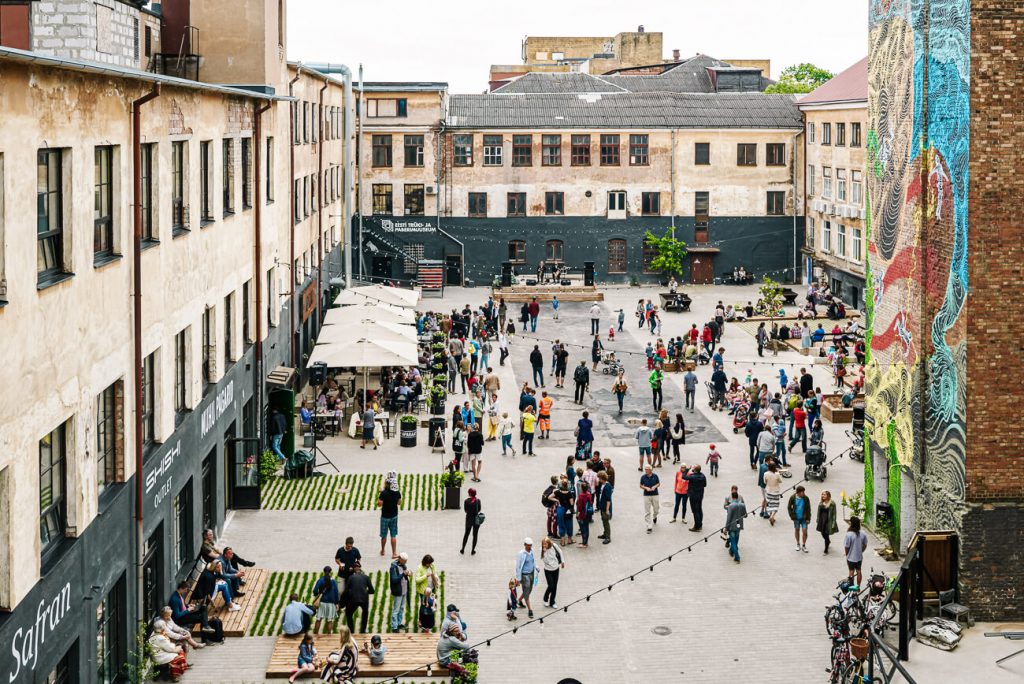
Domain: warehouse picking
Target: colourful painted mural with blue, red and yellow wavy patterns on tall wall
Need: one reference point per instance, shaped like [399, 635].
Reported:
[919, 135]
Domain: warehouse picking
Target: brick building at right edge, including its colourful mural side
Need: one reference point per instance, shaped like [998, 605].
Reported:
[945, 268]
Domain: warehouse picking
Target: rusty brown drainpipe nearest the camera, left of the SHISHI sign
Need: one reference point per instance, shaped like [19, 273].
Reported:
[137, 249]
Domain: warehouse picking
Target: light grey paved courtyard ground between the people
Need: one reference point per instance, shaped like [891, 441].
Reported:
[699, 619]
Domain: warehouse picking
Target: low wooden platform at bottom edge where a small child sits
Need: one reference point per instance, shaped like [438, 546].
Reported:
[405, 653]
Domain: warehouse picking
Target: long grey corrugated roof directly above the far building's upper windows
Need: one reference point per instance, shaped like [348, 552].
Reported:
[618, 111]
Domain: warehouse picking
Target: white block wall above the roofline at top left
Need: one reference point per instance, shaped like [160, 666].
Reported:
[106, 32]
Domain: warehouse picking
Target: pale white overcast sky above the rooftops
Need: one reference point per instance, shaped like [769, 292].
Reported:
[458, 40]
